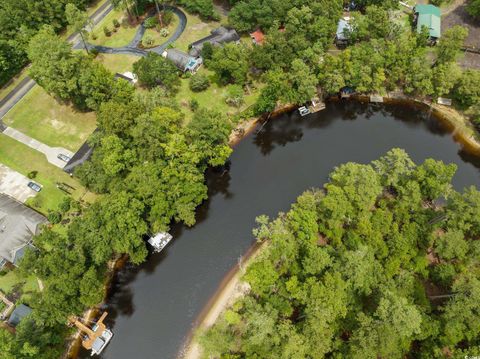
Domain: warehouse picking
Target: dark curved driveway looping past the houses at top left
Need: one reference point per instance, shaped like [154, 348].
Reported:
[132, 47]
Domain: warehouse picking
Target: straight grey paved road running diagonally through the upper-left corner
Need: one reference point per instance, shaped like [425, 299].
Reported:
[14, 96]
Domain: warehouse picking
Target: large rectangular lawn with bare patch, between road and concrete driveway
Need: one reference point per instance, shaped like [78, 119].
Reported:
[40, 116]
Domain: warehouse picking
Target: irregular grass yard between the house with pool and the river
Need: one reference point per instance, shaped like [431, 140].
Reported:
[212, 98]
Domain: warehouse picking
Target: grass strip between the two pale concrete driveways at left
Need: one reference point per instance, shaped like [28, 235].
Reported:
[23, 159]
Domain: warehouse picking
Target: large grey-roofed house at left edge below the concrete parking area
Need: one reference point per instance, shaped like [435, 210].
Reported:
[18, 225]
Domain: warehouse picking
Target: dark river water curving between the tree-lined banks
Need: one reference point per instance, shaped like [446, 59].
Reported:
[152, 307]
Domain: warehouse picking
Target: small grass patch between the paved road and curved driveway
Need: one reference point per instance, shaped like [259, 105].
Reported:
[121, 37]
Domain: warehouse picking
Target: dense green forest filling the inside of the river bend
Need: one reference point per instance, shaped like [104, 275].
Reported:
[382, 262]
